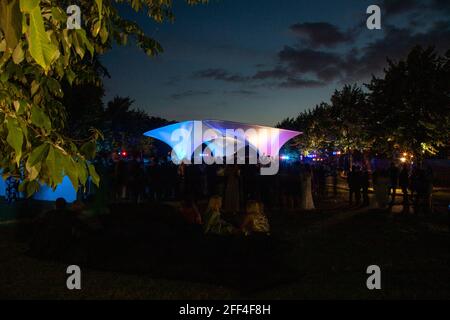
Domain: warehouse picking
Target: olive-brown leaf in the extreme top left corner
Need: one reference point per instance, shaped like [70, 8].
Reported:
[11, 22]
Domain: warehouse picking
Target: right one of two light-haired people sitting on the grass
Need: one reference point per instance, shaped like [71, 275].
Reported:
[255, 221]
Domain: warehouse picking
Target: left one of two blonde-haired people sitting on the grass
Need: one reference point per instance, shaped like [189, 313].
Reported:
[212, 220]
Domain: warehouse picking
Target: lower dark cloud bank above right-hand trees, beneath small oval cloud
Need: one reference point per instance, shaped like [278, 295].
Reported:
[319, 66]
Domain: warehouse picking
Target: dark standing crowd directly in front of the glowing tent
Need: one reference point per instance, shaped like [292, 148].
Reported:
[296, 185]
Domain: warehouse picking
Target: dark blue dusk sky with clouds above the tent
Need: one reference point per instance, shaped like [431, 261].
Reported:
[259, 61]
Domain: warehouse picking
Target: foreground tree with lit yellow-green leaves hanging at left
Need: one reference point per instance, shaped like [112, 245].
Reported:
[37, 54]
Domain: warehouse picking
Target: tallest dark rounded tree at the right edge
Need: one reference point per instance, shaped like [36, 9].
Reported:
[410, 105]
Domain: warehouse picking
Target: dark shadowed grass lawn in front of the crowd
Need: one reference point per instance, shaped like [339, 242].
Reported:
[312, 255]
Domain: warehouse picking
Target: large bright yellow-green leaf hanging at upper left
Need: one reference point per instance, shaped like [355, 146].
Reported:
[41, 48]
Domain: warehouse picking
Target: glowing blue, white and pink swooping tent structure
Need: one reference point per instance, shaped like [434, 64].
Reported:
[186, 137]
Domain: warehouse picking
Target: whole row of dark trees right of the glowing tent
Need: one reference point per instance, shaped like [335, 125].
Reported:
[408, 110]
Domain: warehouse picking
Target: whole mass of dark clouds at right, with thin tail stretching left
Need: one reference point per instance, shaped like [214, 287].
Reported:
[316, 63]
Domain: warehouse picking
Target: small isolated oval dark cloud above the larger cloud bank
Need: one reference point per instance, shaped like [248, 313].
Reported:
[318, 34]
